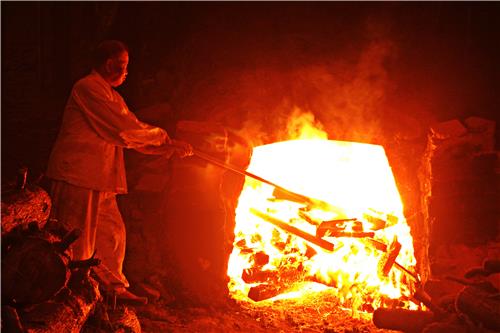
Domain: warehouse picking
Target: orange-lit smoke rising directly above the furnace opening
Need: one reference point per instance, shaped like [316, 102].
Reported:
[344, 99]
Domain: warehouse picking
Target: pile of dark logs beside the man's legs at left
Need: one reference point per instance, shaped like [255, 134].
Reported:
[43, 290]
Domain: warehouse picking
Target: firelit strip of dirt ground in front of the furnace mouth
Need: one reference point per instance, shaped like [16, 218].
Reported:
[320, 313]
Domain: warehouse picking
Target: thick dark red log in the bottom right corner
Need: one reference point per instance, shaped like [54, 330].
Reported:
[478, 304]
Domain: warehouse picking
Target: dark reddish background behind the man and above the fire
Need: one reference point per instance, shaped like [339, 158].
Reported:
[371, 72]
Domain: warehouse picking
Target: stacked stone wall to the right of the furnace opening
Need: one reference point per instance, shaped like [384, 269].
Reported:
[460, 183]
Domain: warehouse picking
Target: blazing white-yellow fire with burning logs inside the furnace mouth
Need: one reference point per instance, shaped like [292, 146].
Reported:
[367, 221]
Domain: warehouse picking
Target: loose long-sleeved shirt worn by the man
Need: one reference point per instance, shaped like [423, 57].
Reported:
[96, 126]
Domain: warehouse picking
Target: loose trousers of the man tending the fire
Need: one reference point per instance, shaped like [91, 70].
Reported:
[96, 214]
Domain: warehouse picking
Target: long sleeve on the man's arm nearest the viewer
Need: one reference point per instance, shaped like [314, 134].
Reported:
[110, 117]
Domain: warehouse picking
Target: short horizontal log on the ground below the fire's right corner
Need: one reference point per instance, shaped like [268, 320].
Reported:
[402, 320]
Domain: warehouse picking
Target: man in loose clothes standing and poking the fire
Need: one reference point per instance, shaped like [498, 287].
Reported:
[87, 167]
